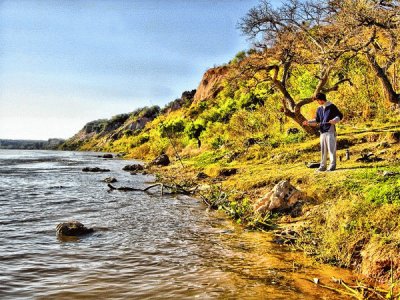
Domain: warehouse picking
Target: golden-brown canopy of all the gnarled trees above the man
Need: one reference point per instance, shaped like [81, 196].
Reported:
[318, 34]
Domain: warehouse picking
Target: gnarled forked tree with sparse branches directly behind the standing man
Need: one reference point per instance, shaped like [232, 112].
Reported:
[297, 33]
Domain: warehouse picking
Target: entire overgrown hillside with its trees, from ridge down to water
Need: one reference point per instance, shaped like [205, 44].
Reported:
[249, 117]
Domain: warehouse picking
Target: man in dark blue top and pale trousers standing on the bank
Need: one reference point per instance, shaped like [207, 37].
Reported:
[326, 118]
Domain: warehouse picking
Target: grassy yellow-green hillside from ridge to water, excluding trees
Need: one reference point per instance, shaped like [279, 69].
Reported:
[232, 139]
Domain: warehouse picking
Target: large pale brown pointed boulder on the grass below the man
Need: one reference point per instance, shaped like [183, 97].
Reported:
[282, 197]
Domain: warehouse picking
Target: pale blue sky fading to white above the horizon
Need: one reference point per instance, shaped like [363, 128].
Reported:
[64, 63]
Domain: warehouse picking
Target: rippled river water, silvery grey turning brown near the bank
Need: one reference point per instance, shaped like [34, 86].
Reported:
[144, 246]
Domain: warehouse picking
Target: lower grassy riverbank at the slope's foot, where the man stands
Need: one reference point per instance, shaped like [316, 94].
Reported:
[352, 221]
